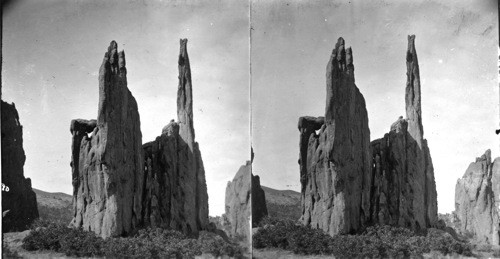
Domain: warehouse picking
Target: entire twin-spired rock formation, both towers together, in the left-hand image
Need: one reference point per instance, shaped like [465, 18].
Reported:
[119, 183]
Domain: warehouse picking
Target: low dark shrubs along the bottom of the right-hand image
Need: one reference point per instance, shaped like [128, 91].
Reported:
[376, 241]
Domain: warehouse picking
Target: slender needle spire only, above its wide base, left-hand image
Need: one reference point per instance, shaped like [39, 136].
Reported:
[185, 96]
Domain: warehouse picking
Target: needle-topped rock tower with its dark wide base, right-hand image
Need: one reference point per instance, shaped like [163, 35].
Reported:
[403, 189]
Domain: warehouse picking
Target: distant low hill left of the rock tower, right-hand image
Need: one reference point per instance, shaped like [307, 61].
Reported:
[283, 203]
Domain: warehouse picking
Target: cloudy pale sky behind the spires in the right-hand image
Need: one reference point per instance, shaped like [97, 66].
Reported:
[457, 48]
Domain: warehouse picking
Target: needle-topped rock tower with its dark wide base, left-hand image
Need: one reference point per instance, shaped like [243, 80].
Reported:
[175, 192]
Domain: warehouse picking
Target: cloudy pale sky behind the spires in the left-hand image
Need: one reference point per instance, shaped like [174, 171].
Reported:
[52, 51]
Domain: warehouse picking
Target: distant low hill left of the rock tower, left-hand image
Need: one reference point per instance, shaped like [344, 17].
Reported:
[55, 207]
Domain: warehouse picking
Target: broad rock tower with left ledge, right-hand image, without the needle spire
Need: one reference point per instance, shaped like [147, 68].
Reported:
[335, 162]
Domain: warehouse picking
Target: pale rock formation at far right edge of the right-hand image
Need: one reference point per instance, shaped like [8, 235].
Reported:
[476, 200]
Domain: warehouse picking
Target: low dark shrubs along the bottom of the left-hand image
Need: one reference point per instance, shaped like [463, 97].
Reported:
[147, 243]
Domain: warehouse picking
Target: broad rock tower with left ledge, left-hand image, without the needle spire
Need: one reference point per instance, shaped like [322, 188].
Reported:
[107, 160]
